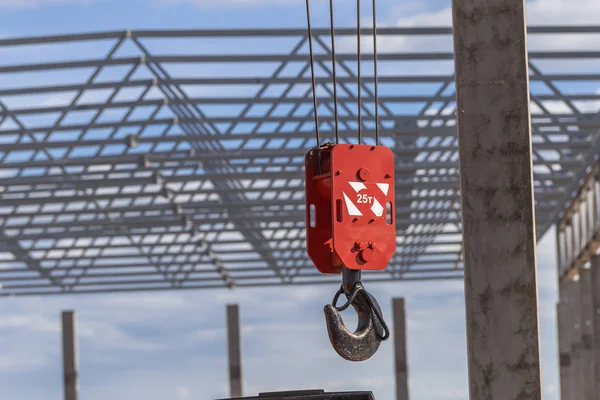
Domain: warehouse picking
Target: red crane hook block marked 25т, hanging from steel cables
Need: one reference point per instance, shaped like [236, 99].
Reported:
[350, 210]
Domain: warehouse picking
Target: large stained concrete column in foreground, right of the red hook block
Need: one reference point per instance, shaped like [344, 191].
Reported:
[494, 138]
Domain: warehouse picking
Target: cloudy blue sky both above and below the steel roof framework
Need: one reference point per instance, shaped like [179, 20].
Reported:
[156, 346]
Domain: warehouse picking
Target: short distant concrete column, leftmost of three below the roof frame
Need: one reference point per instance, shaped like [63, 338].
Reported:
[70, 367]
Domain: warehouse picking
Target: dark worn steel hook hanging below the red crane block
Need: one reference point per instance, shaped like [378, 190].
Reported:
[364, 342]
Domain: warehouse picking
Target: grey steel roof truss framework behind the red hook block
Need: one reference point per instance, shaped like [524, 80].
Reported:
[159, 160]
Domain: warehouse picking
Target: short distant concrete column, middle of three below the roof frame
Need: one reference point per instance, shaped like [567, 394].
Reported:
[234, 350]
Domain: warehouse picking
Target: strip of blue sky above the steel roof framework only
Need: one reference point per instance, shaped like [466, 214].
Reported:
[39, 17]
